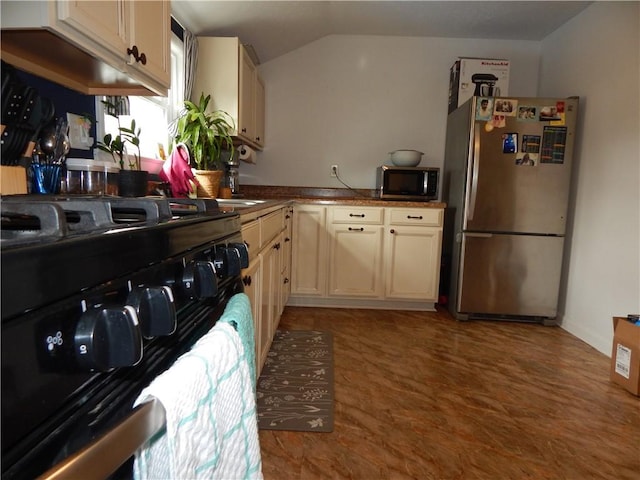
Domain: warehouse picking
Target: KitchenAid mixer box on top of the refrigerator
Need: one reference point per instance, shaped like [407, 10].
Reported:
[462, 87]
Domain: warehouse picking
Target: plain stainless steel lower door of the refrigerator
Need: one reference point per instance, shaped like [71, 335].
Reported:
[509, 275]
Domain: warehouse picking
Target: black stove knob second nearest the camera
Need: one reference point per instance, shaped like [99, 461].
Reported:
[156, 310]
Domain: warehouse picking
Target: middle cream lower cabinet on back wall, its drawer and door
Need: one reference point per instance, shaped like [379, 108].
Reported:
[355, 251]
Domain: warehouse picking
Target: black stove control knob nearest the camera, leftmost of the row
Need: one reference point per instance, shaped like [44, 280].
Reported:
[107, 337]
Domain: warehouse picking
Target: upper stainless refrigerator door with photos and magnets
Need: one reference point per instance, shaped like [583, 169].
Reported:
[506, 196]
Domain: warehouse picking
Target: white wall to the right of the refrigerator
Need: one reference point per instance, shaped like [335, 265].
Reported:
[596, 56]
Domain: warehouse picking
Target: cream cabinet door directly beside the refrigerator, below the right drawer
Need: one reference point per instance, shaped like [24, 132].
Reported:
[413, 262]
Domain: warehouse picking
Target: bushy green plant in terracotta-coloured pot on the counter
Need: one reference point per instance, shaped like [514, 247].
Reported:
[207, 135]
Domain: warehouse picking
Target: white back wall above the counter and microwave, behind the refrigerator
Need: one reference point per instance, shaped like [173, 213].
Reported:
[349, 100]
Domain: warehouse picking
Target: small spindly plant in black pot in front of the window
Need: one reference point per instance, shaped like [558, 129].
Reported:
[132, 182]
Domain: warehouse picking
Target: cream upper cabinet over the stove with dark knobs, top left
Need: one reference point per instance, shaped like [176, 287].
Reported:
[88, 45]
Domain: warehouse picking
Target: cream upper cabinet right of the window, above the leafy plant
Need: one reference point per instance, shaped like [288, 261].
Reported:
[227, 73]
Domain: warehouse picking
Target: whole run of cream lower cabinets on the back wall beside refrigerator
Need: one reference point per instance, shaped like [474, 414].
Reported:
[369, 257]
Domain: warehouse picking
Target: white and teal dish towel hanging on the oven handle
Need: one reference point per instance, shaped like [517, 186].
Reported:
[209, 398]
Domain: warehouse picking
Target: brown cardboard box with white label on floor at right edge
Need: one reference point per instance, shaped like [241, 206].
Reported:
[625, 356]
